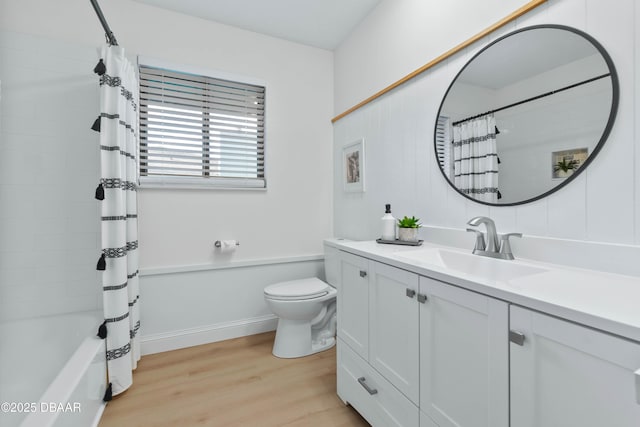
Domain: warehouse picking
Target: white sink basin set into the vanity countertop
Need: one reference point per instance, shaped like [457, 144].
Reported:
[466, 263]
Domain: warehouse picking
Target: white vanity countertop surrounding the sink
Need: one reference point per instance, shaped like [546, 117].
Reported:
[605, 301]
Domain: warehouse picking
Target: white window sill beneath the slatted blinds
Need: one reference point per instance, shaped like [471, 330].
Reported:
[195, 183]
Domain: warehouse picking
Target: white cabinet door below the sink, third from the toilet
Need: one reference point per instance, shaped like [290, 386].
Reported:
[464, 357]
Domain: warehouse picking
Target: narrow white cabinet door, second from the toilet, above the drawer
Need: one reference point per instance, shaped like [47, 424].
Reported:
[393, 328]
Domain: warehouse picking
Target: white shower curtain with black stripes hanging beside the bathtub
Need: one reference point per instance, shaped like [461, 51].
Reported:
[118, 148]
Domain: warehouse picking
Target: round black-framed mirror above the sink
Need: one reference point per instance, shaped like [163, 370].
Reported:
[526, 115]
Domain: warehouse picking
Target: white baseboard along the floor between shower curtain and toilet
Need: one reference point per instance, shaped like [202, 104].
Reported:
[175, 340]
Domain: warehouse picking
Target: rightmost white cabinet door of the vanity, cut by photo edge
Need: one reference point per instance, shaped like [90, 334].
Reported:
[568, 375]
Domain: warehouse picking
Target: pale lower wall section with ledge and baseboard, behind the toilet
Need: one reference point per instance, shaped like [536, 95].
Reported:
[236, 308]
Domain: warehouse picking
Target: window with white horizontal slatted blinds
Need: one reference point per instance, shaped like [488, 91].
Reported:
[200, 131]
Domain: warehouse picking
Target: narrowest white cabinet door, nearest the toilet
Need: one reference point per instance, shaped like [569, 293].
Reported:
[353, 303]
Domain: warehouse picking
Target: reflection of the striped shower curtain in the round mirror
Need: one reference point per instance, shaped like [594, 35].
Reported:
[476, 159]
